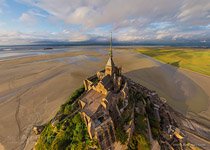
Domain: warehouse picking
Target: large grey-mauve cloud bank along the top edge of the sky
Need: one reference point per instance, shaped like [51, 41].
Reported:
[94, 13]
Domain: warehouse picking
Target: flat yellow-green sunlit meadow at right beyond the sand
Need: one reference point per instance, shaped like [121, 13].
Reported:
[194, 59]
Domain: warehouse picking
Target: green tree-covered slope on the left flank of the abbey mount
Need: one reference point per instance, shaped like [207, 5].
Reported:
[70, 132]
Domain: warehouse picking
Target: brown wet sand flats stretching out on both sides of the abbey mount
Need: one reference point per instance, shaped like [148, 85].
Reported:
[33, 88]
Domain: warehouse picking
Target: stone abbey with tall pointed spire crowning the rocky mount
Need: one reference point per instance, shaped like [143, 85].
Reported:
[99, 107]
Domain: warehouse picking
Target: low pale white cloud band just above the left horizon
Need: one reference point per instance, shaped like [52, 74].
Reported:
[15, 37]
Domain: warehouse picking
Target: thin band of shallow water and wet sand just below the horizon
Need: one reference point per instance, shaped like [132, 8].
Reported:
[21, 51]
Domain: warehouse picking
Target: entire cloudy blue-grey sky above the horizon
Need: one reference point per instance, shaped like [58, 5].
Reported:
[38, 21]
